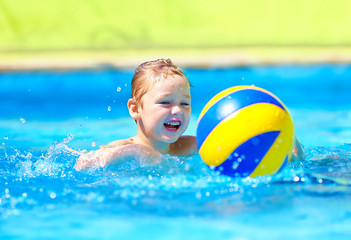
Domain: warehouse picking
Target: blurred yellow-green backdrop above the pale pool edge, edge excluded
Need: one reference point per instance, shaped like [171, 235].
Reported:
[31, 26]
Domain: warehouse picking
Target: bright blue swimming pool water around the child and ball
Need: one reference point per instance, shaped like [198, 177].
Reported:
[45, 113]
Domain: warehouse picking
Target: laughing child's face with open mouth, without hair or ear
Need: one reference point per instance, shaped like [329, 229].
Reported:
[166, 110]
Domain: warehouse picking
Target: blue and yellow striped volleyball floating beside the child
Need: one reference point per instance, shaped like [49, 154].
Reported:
[245, 131]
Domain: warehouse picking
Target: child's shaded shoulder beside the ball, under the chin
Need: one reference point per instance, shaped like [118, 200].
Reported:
[185, 145]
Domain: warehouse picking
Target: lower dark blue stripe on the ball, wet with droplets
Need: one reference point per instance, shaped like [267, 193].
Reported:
[245, 158]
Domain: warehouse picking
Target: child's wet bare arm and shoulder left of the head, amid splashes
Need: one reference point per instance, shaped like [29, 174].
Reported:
[116, 153]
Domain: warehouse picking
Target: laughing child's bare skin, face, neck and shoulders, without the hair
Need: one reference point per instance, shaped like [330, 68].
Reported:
[162, 116]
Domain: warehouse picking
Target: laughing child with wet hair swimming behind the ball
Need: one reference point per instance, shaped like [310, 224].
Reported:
[161, 108]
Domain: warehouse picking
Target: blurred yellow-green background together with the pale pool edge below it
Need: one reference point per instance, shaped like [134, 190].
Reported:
[39, 33]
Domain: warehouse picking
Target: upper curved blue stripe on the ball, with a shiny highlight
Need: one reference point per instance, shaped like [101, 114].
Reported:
[227, 105]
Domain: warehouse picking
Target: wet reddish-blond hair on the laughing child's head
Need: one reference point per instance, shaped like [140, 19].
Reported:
[149, 73]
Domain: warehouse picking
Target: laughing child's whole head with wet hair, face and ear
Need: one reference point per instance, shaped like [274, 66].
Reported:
[161, 102]
